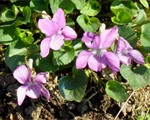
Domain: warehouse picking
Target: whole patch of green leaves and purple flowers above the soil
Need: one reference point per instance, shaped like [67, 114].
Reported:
[69, 34]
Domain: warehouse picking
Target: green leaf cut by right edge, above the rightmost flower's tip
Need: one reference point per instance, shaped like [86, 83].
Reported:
[145, 36]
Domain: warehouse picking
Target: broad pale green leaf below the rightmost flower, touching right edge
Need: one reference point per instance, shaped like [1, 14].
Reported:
[137, 78]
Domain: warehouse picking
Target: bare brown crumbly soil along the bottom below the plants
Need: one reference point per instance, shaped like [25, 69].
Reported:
[96, 105]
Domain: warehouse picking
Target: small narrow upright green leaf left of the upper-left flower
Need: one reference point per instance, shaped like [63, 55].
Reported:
[27, 14]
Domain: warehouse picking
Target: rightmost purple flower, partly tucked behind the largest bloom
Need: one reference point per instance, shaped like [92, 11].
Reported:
[126, 53]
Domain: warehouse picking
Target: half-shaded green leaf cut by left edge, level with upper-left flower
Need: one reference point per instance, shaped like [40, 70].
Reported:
[8, 34]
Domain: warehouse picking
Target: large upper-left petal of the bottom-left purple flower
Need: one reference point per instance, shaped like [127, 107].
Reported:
[22, 74]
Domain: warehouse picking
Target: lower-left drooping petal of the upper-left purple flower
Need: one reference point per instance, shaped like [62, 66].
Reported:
[44, 46]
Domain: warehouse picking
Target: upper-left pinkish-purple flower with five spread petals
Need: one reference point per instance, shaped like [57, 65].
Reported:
[55, 30]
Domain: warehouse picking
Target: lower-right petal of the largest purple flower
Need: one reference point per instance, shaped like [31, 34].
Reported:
[112, 61]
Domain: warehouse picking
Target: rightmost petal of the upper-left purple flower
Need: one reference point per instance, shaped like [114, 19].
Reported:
[69, 33]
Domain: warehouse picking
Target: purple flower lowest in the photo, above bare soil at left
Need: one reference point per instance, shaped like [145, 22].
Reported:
[32, 85]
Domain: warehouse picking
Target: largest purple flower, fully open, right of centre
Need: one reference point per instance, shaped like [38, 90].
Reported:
[98, 58]
